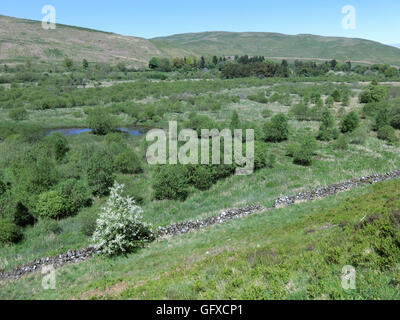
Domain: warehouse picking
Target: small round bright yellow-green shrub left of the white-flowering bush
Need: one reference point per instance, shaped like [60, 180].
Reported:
[51, 205]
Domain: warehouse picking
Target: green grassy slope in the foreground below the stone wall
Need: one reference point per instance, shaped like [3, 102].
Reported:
[296, 252]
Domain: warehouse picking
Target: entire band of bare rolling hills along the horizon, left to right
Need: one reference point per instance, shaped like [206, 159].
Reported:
[20, 38]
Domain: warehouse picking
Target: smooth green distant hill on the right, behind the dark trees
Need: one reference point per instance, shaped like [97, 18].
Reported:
[280, 46]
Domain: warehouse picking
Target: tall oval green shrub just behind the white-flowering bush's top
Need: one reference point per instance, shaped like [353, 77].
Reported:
[100, 172]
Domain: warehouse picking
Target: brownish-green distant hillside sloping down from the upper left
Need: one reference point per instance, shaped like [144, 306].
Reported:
[21, 38]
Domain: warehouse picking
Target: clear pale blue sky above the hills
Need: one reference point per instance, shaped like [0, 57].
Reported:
[376, 20]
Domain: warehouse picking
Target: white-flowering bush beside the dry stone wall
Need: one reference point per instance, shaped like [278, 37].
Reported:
[120, 228]
